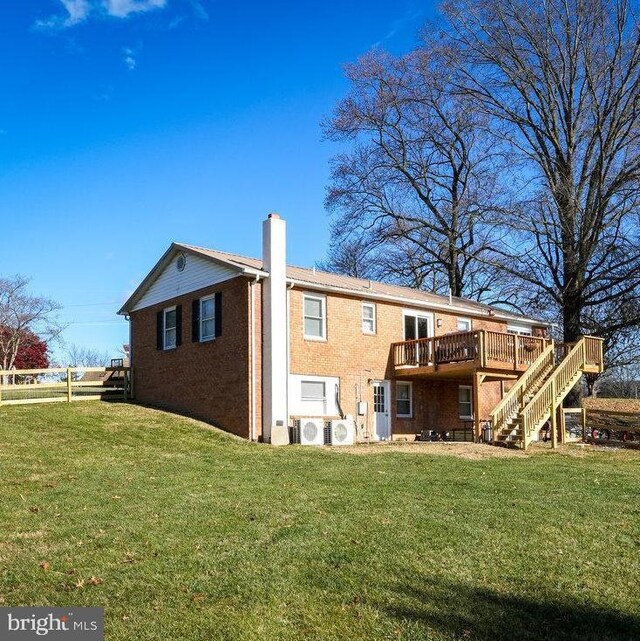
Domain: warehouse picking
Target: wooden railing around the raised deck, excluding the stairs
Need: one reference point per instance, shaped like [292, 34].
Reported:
[483, 347]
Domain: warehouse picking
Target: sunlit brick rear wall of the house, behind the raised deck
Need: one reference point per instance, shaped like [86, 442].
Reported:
[359, 358]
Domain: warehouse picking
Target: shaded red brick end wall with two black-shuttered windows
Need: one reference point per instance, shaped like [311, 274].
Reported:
[207, 380]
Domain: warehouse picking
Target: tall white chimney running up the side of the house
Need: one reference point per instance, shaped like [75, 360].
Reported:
[275, 374]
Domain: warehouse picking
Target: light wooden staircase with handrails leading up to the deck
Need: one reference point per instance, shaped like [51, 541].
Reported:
[539, 392]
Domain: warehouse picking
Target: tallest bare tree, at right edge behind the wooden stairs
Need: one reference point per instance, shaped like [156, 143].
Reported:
[559, 81]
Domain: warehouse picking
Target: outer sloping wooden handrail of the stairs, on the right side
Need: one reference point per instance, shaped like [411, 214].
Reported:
[546, 398]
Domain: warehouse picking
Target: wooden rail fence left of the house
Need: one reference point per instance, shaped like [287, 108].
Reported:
[64, 384]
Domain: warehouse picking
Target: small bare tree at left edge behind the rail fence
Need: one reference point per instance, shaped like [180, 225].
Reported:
[22, 314]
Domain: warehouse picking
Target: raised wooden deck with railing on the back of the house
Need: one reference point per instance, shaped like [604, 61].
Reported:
[499, 355]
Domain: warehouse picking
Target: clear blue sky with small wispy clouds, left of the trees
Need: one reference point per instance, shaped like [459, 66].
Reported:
[126, 124]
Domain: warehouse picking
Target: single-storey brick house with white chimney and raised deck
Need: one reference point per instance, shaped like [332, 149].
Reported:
[253, 345]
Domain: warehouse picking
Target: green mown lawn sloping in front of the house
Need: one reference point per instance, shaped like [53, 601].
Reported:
[183, 533]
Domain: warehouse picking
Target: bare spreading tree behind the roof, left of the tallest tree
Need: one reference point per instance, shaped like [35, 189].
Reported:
[415, 194]
